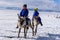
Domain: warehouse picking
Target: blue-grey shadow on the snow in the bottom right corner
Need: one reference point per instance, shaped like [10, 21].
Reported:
[50, 37]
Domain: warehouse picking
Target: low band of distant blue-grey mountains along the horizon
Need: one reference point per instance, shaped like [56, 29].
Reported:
[31, 9]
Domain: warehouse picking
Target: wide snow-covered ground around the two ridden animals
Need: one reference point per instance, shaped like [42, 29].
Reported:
[49, 31]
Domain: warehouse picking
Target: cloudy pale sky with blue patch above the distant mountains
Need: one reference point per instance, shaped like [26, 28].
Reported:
[41, 4]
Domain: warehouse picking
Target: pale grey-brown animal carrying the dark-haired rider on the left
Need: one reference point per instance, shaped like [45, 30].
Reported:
[22, 24]
